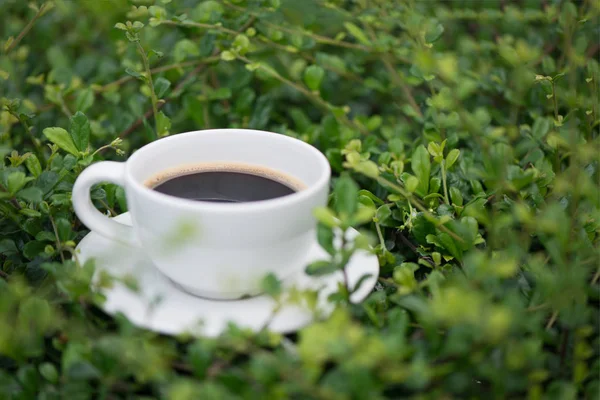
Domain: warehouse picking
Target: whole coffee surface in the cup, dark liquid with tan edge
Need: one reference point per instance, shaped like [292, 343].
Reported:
[224, 183]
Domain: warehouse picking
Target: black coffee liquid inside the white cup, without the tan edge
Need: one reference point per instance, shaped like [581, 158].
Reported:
[223, 187]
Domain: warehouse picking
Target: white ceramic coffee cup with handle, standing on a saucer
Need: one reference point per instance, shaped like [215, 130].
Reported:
[215, 250]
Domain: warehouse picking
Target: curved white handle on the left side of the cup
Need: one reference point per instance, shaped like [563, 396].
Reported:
[104, 171]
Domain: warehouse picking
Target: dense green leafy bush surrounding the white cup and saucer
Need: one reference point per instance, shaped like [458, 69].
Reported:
[463, 137]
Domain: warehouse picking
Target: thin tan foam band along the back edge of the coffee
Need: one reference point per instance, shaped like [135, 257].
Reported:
[258, 170]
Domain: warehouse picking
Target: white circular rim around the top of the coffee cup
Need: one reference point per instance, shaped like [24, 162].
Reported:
[279, 202]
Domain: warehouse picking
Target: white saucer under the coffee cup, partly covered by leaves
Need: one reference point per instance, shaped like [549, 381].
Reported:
[160, 306]
